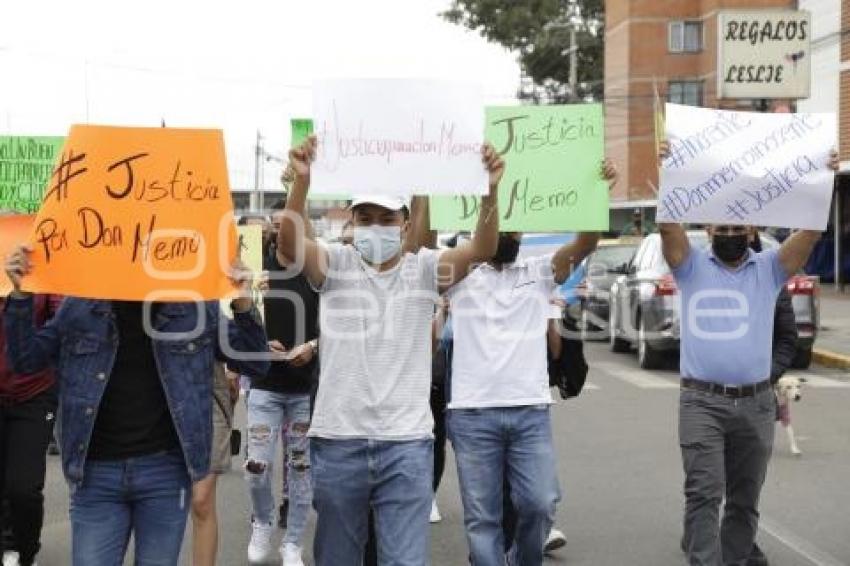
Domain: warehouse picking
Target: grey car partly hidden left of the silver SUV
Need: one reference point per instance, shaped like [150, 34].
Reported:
[600, 269]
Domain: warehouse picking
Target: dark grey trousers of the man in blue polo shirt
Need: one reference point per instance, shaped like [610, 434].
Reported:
[726, 444]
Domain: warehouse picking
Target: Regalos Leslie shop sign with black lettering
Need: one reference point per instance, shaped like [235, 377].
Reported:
[764, 54]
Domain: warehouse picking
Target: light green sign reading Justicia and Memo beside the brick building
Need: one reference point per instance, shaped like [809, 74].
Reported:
[552, 178]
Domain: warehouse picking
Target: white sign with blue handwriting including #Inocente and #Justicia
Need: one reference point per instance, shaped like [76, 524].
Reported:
[747, 168]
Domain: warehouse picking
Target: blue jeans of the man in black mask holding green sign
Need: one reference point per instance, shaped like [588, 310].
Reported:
[491, 445]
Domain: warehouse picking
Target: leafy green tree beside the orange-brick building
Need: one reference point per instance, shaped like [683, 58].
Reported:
[539, 30]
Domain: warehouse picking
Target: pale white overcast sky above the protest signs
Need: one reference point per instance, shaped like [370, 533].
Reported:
[237, 66]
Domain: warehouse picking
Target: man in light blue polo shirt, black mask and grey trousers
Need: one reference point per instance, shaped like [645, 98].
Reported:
[727, 406]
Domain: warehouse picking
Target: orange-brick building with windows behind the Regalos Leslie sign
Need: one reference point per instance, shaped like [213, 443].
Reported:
[668, 46]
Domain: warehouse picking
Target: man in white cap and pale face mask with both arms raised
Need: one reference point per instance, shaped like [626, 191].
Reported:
[371, 434]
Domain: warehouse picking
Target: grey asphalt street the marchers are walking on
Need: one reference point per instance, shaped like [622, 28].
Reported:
[621, 478]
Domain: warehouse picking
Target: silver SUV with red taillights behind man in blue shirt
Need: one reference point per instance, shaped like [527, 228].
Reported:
[645, 305]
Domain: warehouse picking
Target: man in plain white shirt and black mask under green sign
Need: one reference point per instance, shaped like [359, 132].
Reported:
[498, 409]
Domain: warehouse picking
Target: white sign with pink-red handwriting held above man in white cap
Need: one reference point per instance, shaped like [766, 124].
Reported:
[398, 137]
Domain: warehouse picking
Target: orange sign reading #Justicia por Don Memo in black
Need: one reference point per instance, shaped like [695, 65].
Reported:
[136, 214]
